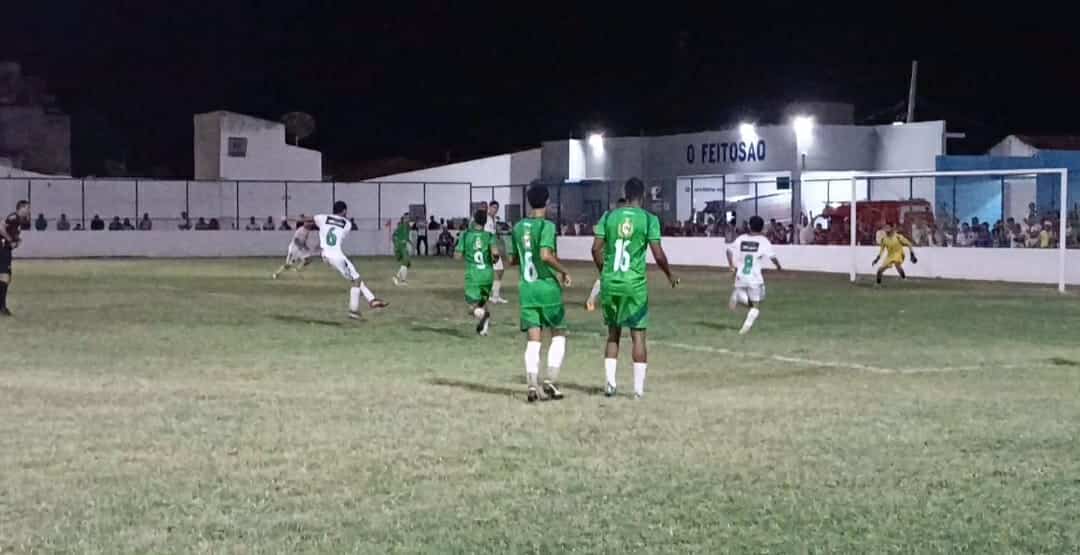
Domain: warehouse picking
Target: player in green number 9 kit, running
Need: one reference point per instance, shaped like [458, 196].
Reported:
[479, 250]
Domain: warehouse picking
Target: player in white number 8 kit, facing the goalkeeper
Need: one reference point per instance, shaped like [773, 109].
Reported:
[747, 259]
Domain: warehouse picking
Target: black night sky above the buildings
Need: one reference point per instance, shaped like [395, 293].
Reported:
[427, 80]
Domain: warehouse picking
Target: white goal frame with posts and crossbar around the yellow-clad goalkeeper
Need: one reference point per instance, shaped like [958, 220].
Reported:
[1061, 172]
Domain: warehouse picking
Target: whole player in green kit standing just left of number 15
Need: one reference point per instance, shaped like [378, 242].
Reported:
[541, 293]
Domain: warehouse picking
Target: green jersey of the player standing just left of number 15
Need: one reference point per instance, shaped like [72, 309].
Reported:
[539, 283]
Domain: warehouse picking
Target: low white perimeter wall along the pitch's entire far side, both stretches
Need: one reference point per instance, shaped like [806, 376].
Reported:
[1027, 266]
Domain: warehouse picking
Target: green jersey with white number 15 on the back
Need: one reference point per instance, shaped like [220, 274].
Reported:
[628, 234]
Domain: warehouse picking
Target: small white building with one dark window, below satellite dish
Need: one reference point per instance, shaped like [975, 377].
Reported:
[234, 146]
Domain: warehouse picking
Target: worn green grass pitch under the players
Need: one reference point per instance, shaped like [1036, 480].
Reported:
[198, 407]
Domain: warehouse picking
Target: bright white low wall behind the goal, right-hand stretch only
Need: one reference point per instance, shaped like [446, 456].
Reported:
[1006, 265]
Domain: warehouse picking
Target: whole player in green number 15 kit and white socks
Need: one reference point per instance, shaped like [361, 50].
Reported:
[622, 240]
